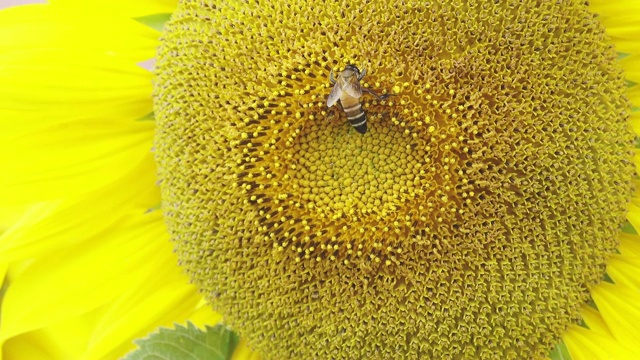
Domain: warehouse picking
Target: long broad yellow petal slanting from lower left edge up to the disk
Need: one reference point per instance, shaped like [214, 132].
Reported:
[83, 277]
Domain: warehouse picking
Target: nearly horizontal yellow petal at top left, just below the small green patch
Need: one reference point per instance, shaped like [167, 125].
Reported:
[44, 26]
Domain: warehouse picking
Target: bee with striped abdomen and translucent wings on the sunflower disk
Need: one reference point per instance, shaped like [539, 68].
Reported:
[348, 90]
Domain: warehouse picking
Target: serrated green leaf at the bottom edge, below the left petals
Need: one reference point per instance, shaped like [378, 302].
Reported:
[217, 343]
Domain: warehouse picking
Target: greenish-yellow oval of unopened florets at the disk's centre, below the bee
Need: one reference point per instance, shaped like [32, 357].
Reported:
[361, 176]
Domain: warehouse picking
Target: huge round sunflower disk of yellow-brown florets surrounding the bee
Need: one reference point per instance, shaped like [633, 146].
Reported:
[468, 222]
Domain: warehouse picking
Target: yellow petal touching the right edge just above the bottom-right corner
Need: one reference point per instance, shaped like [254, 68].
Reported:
[620, 309]
